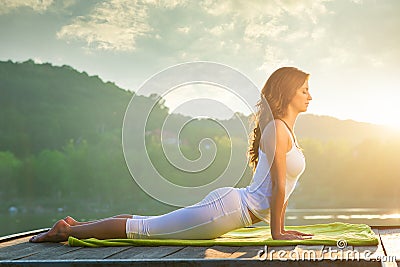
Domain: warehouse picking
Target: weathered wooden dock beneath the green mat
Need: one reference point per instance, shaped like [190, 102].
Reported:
[15, 250]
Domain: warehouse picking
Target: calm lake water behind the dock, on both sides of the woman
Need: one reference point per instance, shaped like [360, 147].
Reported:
[19, 222]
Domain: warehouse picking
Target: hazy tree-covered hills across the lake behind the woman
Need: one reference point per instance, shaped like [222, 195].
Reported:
[60, 130]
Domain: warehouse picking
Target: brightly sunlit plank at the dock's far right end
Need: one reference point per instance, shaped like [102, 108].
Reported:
[391, 243]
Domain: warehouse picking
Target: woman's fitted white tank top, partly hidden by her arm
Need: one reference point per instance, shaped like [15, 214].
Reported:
[257, 195]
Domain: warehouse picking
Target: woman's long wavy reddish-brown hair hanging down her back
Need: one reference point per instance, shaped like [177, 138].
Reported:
[276, 95]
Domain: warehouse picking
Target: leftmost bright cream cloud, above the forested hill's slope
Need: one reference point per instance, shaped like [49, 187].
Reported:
[114, 25]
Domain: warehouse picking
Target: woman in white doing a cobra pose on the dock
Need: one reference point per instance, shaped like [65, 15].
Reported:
[225, 209]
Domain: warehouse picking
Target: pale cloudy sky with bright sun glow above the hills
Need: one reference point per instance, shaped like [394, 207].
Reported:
[351, 48]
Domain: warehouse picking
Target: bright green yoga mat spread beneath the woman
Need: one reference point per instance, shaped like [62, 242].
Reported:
[324, 234]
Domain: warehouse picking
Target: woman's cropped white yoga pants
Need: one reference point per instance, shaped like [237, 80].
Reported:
[219, 212]
